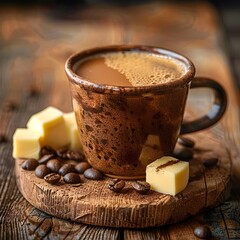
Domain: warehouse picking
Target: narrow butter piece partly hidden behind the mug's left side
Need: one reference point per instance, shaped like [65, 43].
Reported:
[75, 143]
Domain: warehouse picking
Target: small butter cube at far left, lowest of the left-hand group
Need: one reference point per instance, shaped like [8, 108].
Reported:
[26, 143]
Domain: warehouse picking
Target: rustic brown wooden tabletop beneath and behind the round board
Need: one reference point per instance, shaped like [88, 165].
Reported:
[34, 46]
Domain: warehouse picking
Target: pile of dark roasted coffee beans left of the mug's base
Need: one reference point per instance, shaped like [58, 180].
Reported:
[53, 165]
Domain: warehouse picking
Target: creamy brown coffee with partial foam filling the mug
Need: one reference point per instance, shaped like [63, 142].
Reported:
[130, 69]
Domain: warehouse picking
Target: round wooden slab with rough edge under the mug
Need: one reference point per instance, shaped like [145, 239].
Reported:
[93, 203]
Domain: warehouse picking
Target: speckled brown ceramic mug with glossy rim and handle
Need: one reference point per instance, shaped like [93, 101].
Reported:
[124, 128]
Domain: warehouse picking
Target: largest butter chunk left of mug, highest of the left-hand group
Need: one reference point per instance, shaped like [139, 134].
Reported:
[51, 126]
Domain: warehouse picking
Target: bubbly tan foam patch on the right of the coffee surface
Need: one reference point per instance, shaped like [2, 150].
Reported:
[142, 68]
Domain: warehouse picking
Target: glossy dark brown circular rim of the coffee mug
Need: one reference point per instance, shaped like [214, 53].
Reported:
[180, 82]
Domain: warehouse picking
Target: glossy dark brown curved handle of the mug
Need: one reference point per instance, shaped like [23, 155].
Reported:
[217, 110]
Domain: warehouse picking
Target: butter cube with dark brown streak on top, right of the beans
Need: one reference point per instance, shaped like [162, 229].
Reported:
[168, 175]
